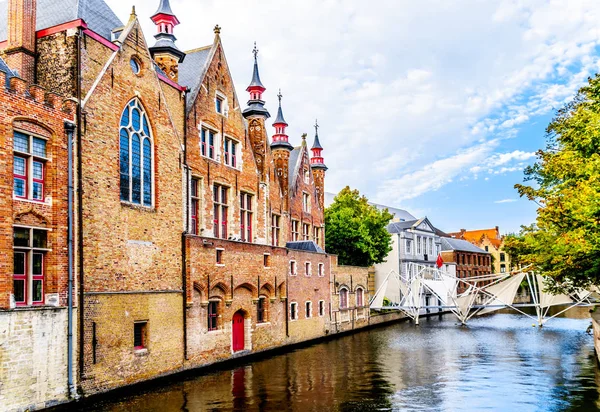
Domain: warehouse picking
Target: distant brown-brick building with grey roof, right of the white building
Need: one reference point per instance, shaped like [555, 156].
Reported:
[470, 260]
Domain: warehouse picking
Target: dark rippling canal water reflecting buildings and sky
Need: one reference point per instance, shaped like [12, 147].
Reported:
[496, 363]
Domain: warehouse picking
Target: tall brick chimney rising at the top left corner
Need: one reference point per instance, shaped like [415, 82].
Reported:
[20, 51]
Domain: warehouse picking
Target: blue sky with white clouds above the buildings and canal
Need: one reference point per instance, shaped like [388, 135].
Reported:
[431, 106]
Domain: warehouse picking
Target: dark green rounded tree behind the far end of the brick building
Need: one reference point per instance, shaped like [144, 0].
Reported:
[357, 231]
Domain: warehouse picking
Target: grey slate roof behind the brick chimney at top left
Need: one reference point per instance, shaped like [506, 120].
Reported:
[99, 17]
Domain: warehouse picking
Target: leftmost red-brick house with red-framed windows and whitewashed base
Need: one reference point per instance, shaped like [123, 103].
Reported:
[35, 127]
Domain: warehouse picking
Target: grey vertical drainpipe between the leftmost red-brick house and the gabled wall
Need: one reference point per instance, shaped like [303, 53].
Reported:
[70, 129]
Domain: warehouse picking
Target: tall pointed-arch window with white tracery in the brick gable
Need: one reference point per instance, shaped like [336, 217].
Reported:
[135, 155]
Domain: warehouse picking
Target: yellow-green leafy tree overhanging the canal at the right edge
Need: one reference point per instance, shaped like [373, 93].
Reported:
[564, 243]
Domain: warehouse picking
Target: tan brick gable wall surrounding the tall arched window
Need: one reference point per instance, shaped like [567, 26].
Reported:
[132, 253]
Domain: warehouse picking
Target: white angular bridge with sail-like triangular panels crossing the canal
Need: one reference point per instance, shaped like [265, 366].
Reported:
[432, 289]
